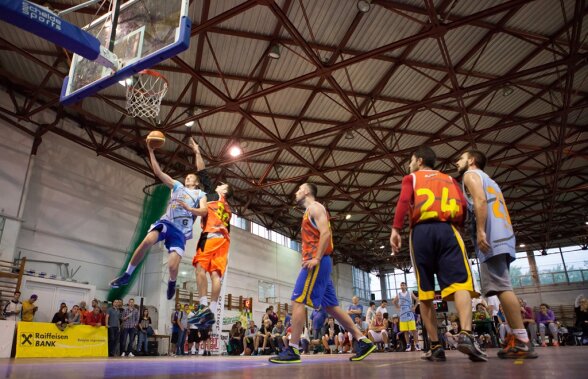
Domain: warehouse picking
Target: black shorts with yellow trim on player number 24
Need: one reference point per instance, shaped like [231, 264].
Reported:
[436, 248]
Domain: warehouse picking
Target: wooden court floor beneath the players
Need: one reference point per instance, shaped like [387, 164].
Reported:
[553, 363]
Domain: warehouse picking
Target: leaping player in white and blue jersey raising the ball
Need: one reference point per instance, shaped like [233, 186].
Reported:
[174, 227]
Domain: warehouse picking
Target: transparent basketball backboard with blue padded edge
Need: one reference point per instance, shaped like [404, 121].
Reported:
[148, 32]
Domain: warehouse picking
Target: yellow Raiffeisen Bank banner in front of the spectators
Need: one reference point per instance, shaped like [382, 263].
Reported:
[41, 339]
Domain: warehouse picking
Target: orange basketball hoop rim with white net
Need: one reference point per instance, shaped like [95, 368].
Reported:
[145, 93]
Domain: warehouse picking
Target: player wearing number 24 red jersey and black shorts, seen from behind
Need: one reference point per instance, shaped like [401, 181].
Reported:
[436, 205]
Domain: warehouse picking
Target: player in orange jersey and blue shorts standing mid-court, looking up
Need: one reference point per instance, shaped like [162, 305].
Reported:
[314, 286]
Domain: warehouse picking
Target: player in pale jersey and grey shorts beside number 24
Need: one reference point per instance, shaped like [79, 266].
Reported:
[494, 240]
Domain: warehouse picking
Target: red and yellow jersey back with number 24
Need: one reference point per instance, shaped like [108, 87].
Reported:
[437, 197]
